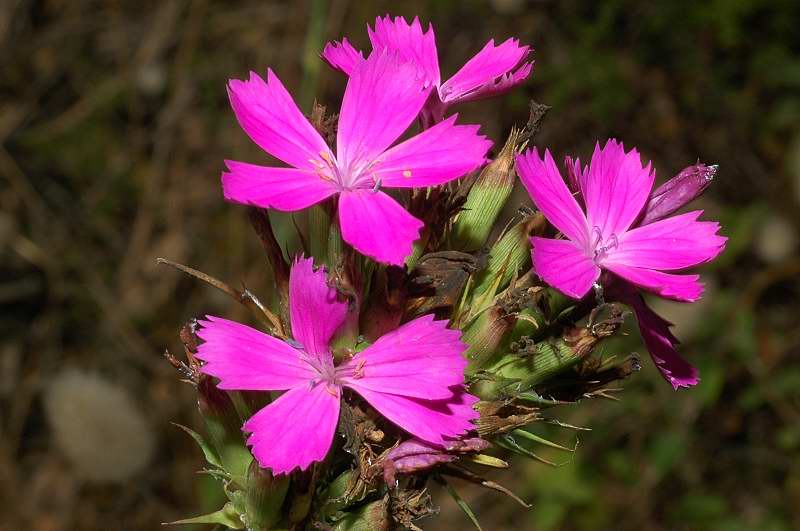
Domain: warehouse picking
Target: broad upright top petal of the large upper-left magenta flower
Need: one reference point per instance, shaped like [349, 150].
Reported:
[383, 97]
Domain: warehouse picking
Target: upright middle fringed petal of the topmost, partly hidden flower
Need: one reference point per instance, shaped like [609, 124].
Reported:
[409, 42]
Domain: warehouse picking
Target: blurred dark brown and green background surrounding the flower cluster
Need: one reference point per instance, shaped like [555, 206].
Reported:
[114, 124]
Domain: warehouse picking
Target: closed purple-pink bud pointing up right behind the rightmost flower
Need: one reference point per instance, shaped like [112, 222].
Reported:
[678, 191]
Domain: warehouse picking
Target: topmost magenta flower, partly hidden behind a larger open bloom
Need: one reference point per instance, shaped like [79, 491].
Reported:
[492, 71]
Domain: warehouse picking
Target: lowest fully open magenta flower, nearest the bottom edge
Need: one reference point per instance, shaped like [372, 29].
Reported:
[413, 375]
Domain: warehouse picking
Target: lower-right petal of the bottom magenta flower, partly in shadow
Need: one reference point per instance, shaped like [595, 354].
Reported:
[430, 420]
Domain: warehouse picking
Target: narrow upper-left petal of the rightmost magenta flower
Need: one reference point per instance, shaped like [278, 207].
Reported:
[550, 194]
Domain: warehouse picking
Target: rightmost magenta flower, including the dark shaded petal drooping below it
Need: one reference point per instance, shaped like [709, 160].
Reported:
[615, 188]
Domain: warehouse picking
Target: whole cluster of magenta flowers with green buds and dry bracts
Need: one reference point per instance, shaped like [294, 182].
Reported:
[368, 339]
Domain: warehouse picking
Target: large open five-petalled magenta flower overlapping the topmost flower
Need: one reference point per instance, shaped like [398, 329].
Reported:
[383, 97]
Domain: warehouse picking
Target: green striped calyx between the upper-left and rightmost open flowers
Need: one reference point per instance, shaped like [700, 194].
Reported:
[486, 199]
